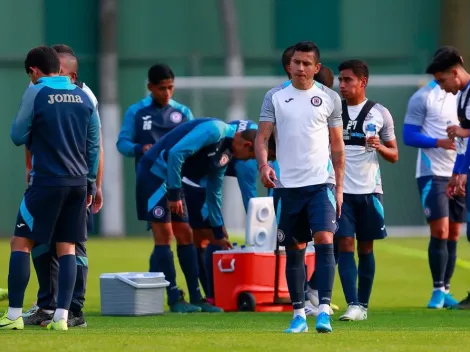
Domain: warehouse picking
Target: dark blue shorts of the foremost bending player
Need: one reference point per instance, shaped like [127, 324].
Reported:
[152, 201]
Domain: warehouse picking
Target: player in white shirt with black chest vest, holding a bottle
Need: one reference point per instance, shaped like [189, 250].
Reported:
[362, 213]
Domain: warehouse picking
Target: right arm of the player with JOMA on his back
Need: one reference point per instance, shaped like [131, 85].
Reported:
[93, 150]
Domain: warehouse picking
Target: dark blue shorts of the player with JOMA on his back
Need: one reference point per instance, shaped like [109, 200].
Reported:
[53, 214]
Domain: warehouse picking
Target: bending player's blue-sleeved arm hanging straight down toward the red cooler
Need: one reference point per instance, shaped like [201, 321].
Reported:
[214, 201]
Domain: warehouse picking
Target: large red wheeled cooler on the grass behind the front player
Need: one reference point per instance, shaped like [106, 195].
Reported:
[247, 279]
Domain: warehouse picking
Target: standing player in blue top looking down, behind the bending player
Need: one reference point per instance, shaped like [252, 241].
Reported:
[144, 124]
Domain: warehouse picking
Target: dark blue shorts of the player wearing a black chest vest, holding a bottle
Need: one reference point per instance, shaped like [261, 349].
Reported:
[362, 215]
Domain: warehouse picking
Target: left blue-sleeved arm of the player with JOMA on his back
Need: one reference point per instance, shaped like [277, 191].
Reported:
[21, 127]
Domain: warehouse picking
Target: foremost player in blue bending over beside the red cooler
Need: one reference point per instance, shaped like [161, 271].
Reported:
[199, 150]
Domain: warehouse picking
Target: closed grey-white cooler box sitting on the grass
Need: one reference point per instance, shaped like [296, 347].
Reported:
[132, 294]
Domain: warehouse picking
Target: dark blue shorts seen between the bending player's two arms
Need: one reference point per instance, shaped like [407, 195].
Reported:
[197, 208]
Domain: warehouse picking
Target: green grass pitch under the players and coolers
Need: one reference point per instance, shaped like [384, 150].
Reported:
[397, 321]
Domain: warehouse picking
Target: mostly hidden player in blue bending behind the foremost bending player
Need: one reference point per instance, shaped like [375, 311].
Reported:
[246, 172]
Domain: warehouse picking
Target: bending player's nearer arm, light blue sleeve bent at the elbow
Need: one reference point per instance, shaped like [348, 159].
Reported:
[202, 135]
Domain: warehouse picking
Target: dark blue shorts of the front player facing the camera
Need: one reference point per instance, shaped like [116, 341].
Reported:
[305, 211]
